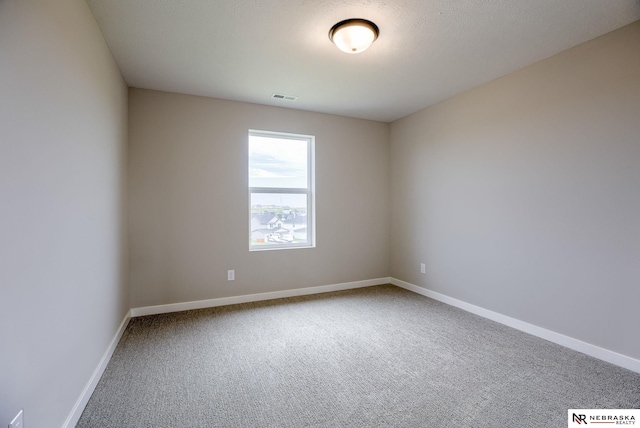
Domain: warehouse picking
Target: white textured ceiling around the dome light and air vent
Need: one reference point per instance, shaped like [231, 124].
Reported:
[427, 51]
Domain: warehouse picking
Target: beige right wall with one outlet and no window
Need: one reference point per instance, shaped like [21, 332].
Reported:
[522, 196]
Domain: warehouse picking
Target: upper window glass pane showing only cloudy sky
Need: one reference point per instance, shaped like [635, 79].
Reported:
[277, 162]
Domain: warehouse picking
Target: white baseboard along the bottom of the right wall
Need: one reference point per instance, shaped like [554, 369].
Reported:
[569, 342]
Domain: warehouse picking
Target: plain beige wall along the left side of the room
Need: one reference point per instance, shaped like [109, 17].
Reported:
[63, 130]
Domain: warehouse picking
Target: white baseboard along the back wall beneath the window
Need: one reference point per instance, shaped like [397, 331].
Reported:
[210, 303]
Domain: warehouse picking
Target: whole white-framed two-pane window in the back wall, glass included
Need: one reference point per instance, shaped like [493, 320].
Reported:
[281, 198]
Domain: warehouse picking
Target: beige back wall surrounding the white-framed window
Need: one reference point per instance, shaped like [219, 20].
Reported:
[188, 201]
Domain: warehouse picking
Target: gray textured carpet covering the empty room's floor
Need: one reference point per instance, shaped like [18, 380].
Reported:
[372, 357]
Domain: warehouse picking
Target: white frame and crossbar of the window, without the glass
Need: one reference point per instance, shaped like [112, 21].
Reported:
[309, 191]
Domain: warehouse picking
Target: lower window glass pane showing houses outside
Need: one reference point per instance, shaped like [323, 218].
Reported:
[278, 219]
